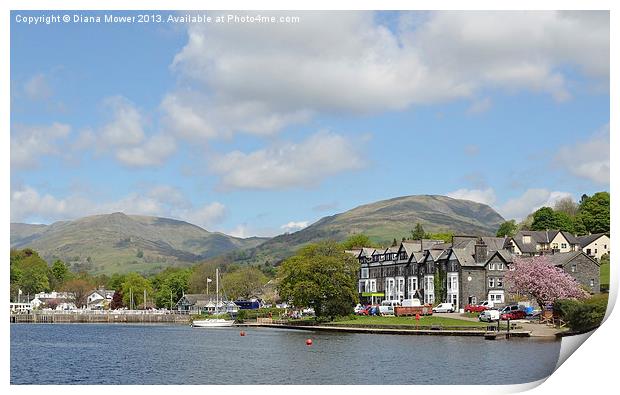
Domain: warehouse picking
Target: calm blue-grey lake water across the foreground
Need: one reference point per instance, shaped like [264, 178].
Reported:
[153, 354]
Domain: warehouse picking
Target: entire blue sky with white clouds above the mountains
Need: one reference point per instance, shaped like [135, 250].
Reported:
[255, 129]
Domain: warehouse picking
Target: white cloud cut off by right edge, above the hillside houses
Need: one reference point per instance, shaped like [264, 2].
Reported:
[588, 159]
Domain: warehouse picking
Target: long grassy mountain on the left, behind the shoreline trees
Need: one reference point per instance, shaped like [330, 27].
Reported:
[121, 243]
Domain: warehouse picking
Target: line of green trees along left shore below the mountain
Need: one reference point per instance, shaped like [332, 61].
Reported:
[31, 274]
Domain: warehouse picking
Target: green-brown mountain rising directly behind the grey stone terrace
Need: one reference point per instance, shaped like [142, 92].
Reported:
[383, 221]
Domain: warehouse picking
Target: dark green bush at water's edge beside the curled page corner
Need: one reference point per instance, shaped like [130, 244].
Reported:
[583, 315]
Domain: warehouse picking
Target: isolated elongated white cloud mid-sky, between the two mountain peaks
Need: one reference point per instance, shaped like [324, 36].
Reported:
[289, 164]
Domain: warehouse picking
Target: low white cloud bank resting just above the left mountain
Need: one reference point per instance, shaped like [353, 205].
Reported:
[30, 205]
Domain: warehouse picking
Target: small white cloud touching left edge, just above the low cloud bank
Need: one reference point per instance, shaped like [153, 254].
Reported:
[30, 143]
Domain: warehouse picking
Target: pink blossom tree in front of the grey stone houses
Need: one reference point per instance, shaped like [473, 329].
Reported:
[541, 280]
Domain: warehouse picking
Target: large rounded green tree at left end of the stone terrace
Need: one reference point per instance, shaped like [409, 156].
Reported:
[321, 276]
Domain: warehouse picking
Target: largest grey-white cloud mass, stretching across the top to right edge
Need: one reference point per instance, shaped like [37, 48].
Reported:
[261, 78]
